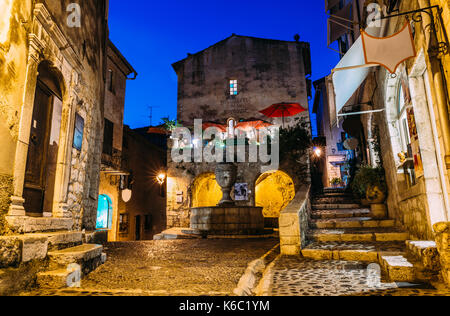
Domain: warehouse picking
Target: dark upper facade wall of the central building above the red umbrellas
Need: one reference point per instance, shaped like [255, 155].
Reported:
[267, 71]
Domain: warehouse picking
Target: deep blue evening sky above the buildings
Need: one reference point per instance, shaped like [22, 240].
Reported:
[154, 34]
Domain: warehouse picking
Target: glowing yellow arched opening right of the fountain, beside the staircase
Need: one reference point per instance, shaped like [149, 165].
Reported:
[274, 191]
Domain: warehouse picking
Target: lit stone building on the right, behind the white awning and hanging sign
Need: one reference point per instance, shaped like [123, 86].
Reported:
[408, 112]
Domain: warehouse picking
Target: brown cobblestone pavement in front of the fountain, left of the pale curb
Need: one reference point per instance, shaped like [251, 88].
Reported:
[163, 268]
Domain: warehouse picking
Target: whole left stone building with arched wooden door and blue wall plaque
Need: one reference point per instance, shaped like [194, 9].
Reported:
[52, 74]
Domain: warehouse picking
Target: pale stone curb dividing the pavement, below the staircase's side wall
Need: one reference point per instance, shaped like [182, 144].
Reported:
[249, 280]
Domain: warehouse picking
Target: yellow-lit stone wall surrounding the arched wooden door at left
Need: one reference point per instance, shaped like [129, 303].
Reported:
[38, 33]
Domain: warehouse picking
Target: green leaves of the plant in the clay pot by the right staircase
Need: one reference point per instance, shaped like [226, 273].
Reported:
[366, 177]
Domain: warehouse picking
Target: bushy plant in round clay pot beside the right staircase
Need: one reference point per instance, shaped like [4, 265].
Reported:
[369, 184]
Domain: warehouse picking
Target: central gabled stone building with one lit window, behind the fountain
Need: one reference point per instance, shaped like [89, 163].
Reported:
[227, 83]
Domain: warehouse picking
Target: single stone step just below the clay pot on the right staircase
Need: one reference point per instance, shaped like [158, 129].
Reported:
[353, 222]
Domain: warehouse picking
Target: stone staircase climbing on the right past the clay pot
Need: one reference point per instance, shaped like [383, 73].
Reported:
[341, 229]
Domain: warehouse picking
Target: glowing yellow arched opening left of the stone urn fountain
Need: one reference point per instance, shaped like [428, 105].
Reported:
[206, 191]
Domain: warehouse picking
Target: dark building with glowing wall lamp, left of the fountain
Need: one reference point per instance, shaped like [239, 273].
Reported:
[145, 214]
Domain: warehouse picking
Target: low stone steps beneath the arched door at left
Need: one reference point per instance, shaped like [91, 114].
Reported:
[66, 256]
